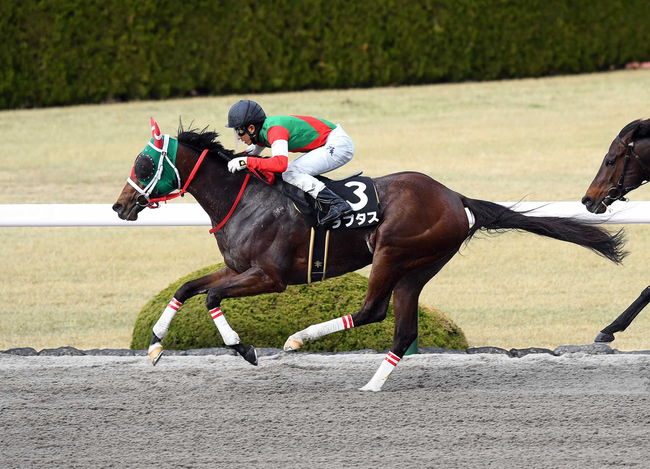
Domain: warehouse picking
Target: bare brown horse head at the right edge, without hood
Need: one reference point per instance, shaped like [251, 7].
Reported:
[625, 167]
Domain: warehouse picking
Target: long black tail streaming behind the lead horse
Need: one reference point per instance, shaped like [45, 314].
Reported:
[494, 217]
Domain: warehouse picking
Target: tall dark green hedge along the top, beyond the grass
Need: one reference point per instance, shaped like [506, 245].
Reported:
[84, 51]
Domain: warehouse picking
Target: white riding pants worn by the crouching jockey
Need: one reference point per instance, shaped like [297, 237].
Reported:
[337, 151]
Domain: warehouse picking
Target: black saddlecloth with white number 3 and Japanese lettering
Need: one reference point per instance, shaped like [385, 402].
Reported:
[359, 191]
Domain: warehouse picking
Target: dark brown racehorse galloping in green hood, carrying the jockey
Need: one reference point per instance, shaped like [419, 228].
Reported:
[264, 240]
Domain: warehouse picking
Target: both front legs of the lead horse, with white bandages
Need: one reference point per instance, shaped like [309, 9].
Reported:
[220, 284]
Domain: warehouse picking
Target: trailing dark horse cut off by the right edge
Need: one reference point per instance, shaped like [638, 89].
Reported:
[625, 167]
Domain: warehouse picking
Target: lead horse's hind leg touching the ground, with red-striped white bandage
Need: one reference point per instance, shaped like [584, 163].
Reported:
[405, 305]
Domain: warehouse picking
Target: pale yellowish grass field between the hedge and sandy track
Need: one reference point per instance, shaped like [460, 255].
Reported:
[536, 139]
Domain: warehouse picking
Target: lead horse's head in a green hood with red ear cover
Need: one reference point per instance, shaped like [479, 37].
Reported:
[154, 174]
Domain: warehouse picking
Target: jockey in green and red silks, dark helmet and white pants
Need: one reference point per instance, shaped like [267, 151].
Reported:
[324, 146]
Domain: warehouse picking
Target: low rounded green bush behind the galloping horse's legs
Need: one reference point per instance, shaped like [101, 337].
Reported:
[267, 320]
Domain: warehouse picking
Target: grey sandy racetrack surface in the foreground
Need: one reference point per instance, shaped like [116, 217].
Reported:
[304, 410]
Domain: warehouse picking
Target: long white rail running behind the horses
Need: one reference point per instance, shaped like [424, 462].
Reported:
[191, 214]
